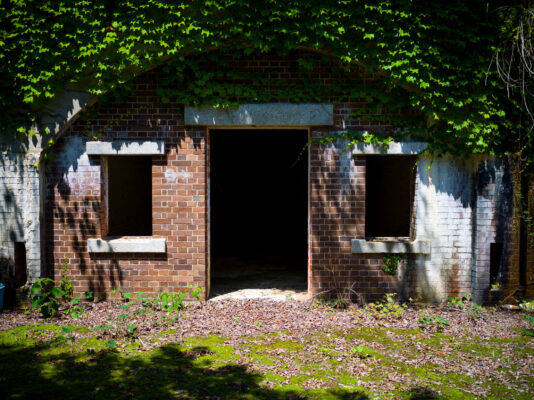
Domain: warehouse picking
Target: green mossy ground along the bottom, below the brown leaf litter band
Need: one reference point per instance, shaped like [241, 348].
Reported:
[49, 361]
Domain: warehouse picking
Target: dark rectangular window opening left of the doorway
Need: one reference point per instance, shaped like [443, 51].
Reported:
[130, 196]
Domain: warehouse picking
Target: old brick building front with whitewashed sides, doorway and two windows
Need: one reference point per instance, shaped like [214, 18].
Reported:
[168, 195]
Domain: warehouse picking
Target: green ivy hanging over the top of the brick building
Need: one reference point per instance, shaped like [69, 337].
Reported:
[432, 58]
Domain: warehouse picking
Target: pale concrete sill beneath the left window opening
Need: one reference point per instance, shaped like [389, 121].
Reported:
[127, 245]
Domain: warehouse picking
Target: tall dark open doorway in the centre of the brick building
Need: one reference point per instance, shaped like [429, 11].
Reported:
[258, 210]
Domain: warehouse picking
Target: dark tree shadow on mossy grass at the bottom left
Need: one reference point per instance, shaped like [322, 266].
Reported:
[46, 372]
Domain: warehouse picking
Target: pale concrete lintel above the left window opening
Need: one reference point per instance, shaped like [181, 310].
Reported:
[126, 147]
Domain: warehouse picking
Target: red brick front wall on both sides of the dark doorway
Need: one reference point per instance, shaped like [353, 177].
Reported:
[74, 205]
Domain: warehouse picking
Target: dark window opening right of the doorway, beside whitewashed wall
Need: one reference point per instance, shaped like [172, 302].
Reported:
[389, 185]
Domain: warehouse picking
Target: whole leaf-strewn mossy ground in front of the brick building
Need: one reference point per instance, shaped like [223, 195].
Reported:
[365, 357]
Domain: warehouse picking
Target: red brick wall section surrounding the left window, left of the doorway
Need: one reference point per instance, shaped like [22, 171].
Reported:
[74, 203]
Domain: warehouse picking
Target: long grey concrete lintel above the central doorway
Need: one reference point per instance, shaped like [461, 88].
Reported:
[270, 114]
